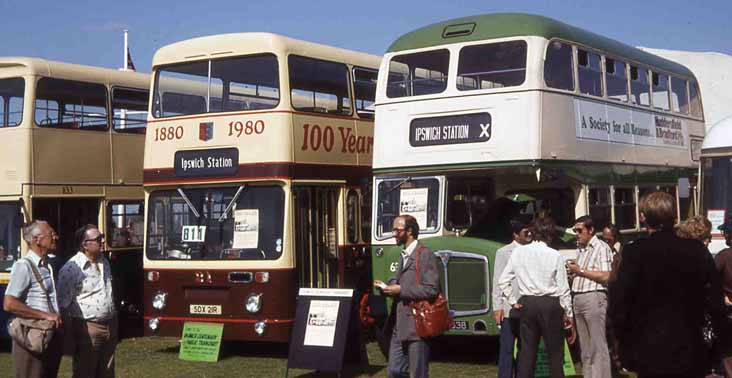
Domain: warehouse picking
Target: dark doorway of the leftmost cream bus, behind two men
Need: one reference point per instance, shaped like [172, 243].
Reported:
[66, 215]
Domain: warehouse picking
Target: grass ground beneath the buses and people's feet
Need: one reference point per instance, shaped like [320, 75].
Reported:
[158, 357]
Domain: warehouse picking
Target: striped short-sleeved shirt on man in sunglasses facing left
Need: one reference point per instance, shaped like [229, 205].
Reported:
[596, 256]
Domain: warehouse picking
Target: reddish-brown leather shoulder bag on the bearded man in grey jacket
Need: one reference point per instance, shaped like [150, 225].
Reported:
[432, 318]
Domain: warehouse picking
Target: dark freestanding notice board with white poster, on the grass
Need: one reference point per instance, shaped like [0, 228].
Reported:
[321, 329]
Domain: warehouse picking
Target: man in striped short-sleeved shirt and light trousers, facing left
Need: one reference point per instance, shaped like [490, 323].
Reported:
[589, 287]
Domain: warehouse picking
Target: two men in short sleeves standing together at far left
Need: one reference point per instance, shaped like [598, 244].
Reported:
[78, 301]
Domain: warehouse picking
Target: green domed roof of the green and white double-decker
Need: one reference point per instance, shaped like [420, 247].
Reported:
[503, 25]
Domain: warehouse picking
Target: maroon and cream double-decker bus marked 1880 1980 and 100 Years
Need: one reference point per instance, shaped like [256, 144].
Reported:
[257, 175]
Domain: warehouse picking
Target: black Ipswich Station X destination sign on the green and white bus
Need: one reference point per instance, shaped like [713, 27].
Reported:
[456, 129]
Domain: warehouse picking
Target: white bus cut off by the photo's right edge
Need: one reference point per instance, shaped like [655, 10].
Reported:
[716, 177]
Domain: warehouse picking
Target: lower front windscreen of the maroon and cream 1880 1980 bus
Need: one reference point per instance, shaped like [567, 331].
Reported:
[216, 223]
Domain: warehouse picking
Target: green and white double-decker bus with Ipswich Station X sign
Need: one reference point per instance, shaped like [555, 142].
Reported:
[486, 118]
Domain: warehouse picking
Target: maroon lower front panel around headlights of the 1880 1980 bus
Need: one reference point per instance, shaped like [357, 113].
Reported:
[278, 303]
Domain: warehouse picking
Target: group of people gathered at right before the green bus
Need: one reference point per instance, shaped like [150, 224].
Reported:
[658, 306]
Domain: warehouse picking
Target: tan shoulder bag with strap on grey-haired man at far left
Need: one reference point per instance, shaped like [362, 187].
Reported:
[33, 335]
